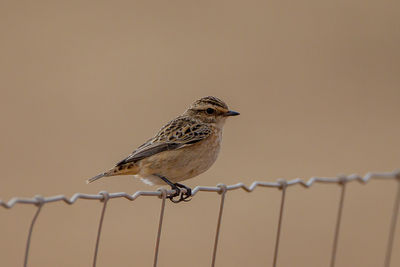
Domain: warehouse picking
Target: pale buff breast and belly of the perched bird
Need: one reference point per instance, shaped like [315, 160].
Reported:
[181, 164]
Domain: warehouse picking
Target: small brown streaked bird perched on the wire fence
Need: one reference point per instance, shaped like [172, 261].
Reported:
[182, 149]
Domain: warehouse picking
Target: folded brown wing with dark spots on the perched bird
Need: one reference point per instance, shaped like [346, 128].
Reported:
[176, 134]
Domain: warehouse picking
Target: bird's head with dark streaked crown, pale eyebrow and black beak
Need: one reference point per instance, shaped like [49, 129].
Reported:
[210, 109]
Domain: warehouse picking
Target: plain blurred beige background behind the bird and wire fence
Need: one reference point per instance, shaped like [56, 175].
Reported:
[83, 83]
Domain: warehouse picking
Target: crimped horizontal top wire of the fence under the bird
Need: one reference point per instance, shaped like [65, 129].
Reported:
[39, 200]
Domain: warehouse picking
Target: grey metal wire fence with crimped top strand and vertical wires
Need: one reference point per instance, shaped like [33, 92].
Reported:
[222, 189]
